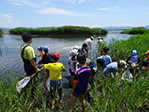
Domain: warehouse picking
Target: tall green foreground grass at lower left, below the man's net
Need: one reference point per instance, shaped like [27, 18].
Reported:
[26, 101]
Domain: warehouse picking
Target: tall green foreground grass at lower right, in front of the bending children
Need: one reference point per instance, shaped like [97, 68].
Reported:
[129, 97]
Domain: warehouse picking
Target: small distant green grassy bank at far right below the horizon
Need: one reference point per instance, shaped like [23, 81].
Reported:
[139, 30]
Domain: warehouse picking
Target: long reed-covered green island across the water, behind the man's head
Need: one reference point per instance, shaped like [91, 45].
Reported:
[64, 30]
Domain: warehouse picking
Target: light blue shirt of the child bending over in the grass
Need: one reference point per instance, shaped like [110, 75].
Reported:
[111, 68]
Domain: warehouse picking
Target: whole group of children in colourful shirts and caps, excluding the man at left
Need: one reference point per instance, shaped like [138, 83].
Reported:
[82, 71]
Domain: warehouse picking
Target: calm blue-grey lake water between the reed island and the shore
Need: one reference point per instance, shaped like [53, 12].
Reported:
[10, 61]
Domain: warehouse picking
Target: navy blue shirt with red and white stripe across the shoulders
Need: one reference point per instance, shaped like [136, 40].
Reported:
[82, 76]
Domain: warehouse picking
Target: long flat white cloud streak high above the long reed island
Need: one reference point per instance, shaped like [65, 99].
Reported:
[57, 11]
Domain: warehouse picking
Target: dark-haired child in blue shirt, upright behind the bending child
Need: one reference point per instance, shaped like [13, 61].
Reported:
[105, 56]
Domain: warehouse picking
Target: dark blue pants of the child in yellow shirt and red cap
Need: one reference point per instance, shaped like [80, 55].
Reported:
[55, 85]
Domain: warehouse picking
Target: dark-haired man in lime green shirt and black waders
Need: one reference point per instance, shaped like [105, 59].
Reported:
[28, 55]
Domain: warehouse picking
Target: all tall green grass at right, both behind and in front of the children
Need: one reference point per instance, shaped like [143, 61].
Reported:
[122, 96]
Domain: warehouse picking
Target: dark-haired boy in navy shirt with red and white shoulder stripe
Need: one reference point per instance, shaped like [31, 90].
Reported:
[81, 80]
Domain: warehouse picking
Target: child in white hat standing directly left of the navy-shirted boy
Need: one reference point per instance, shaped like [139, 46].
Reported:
[72, 62]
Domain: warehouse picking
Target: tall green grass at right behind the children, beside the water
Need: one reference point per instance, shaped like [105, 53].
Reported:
[122, 49]
